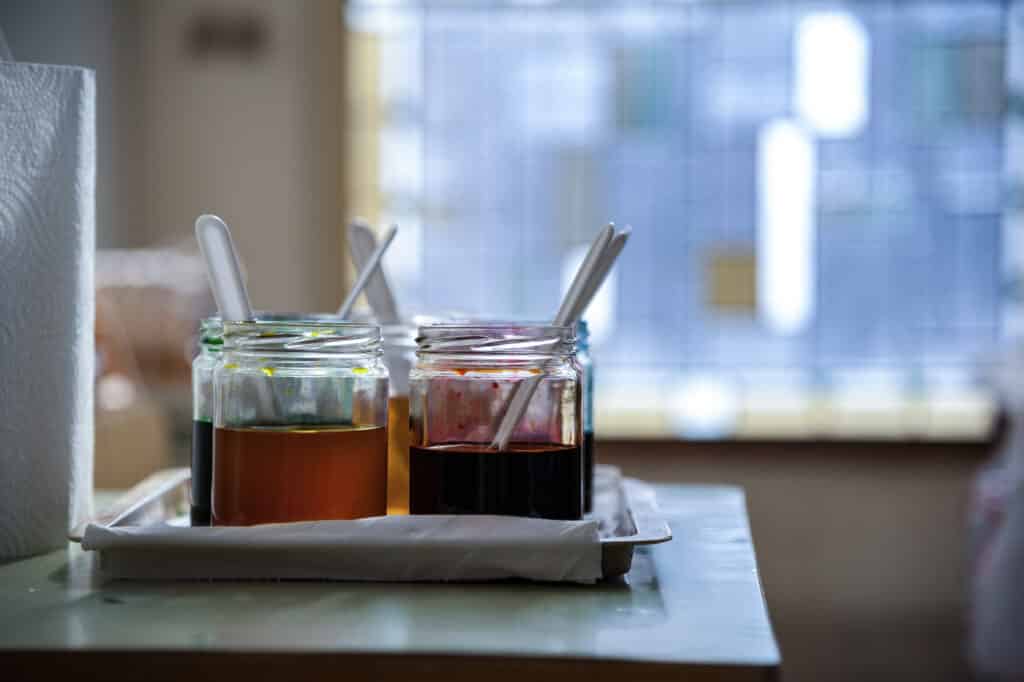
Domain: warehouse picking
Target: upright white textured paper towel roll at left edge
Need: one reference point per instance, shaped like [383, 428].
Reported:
[48, 247]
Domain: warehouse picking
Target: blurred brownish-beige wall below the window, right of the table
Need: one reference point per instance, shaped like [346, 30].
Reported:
[861, 548]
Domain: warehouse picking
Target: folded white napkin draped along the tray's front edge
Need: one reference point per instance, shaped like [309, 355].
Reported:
[385, 548]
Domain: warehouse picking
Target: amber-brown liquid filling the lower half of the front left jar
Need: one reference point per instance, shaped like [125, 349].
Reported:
[272, 475]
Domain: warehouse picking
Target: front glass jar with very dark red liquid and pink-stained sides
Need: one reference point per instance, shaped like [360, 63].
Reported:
[464, 377]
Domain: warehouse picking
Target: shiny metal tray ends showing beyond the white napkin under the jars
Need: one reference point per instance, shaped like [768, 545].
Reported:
[626, 511]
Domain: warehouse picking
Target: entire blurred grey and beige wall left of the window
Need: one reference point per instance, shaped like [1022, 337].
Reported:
[230, 108]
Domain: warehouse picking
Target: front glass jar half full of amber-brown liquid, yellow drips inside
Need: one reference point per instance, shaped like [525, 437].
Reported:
[301, 423]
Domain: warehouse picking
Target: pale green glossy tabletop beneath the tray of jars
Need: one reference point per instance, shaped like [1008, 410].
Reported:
[691, 608]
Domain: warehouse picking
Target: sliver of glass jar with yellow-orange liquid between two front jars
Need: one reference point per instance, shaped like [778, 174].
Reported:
[400, 355]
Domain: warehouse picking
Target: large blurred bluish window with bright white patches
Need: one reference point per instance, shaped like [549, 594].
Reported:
[816, 191]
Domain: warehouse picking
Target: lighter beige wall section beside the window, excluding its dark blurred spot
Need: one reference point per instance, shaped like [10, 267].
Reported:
[257, 142]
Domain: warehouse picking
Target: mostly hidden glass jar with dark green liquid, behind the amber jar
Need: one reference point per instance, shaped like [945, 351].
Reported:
[210, 343]
